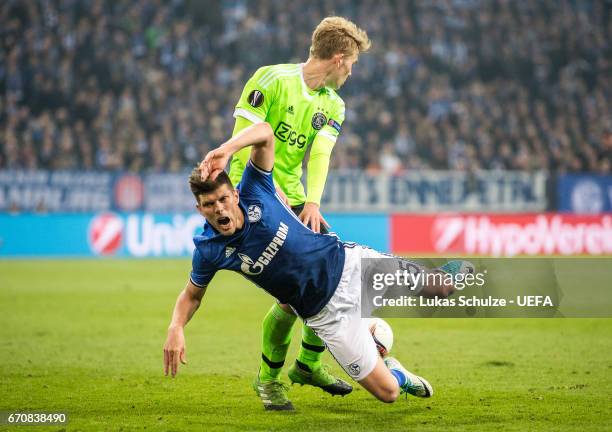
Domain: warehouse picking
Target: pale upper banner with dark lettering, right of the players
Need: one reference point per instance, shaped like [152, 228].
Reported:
[422, 191]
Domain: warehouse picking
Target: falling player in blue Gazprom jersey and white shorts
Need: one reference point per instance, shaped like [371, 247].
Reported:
[252, 232]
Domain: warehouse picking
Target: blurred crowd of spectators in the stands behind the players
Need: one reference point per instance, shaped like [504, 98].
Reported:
[448, 84]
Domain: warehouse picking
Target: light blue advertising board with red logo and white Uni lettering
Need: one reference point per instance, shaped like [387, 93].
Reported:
[139, 234]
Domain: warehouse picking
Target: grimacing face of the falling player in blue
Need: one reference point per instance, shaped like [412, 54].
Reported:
[221, 209]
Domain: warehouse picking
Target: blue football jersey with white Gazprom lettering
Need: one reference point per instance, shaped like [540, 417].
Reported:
[273, 249]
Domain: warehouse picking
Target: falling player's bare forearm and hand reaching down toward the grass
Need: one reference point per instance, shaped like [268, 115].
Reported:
[187, 303]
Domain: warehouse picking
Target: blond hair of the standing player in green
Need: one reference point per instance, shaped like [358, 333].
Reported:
[336, 35]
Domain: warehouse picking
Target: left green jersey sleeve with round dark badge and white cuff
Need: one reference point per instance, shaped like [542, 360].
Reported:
[257, 97]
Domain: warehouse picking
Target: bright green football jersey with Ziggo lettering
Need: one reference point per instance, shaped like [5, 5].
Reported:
[278, 95]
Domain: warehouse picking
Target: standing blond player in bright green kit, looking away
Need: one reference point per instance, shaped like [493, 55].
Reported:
[301, 104]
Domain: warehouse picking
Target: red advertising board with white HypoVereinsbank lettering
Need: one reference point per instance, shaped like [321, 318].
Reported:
[502, 234]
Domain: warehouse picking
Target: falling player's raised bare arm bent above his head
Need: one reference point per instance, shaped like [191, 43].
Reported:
[260, 136]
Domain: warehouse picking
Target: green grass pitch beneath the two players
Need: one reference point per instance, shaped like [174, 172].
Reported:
[86, 337]
